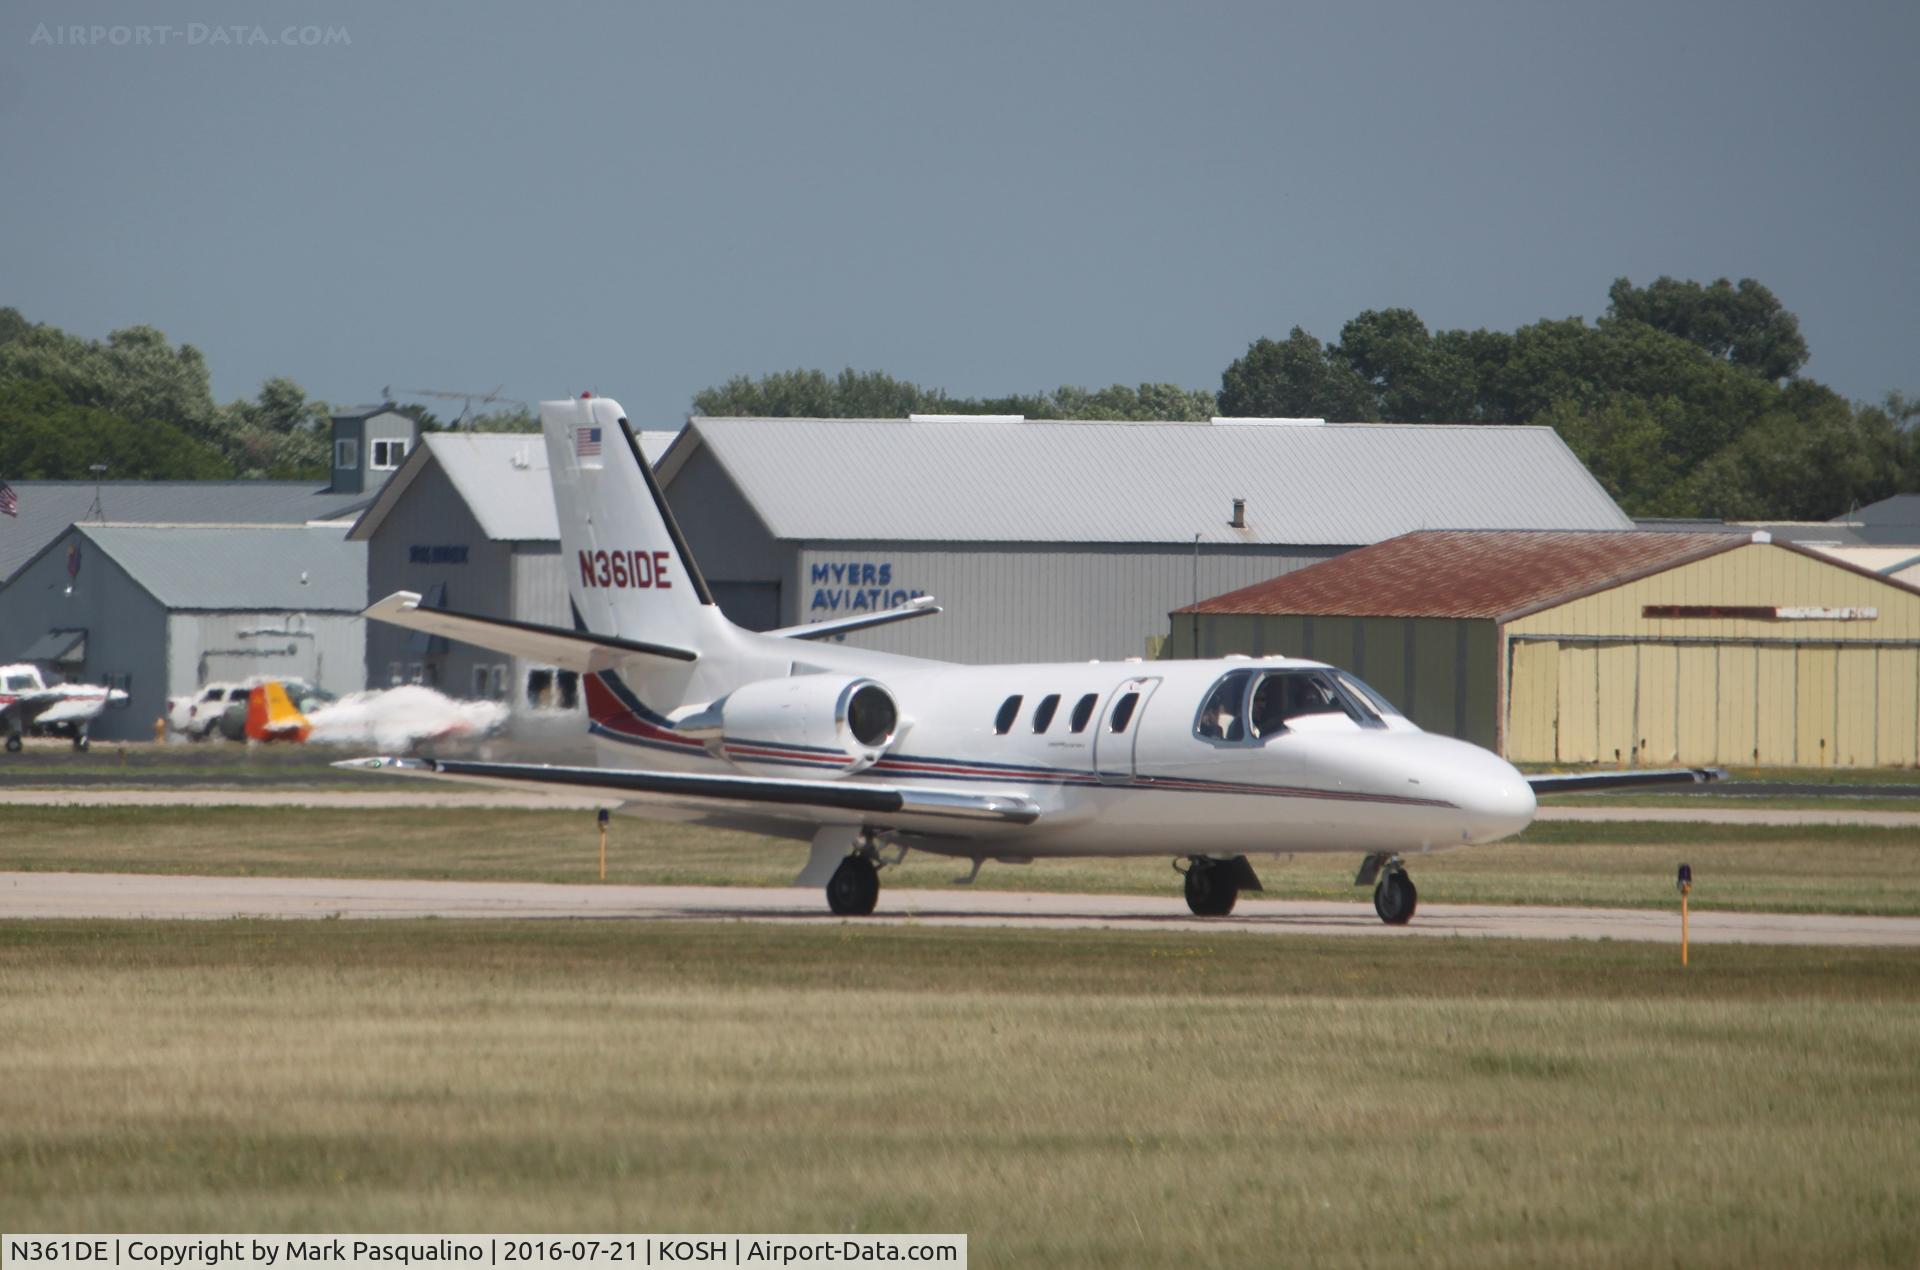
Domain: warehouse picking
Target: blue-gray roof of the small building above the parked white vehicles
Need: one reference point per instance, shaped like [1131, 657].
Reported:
[272, 568]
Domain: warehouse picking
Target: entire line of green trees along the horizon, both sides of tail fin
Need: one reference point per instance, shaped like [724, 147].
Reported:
[1683, 399]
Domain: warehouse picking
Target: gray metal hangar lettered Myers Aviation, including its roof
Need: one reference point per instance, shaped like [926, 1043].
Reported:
[1063, 541]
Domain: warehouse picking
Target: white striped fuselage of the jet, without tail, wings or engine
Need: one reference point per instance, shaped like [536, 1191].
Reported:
[1141, 785]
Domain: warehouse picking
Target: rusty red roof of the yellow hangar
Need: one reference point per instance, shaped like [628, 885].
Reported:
[1470, 574]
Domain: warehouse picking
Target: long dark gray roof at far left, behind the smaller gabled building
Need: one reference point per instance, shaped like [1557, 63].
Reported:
[47, 508]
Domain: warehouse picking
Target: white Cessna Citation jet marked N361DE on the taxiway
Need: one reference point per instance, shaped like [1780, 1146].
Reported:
[871, 756]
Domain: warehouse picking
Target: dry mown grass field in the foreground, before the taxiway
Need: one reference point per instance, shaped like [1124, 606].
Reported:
[1068, 1100]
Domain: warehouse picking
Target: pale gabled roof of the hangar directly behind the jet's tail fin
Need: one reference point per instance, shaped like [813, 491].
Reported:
[502, 477]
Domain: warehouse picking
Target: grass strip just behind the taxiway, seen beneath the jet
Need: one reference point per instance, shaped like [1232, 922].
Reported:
[1788, 869]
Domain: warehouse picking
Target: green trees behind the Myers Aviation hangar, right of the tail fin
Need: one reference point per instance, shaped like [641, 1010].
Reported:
[1685, 399]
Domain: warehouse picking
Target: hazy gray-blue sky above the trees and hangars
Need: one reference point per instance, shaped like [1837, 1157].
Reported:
[992, 199]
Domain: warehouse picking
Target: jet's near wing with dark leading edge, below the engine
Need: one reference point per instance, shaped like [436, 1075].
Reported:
[815, 802]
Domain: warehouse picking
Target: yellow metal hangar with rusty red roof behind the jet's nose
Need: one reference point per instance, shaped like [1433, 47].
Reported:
[1610, 648]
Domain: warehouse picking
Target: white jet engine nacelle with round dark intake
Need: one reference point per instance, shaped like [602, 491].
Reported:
[853, 718]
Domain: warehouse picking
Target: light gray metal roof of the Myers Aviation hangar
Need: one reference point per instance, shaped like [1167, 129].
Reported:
[1330, 485]
